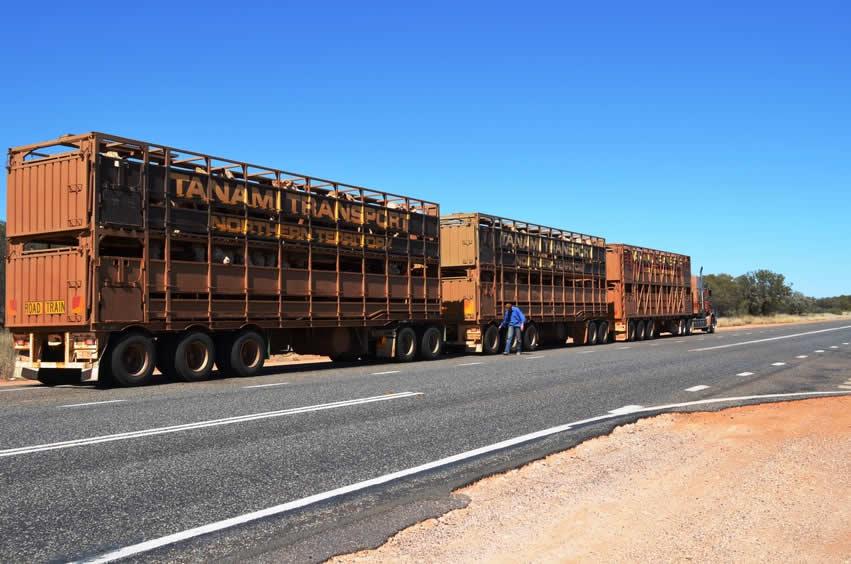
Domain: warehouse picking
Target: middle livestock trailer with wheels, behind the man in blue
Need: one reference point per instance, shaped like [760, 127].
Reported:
[557, 277]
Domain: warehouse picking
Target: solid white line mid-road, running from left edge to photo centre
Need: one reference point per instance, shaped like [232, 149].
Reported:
[200, 424]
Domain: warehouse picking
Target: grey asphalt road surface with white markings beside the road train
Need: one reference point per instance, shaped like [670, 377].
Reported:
[309, 461]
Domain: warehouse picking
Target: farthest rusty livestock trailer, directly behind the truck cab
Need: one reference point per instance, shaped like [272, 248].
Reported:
[649, 292]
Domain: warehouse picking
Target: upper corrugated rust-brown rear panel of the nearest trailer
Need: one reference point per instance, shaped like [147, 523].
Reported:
[47, 194]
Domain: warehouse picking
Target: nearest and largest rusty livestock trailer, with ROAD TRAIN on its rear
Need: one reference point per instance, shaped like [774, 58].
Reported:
[125, 254]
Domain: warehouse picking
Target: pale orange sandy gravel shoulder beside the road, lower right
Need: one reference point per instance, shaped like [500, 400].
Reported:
[760, 483]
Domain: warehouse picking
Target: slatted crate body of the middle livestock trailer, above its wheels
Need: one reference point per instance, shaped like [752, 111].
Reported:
[551, 274]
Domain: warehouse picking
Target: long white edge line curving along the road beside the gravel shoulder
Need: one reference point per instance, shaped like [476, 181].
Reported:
[153, 544]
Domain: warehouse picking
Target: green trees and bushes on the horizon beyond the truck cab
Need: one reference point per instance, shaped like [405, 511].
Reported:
[763, 292]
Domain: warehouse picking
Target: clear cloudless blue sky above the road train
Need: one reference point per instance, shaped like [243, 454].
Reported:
[716, 129]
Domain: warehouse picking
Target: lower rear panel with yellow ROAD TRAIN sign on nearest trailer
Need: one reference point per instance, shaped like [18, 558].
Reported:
[46, 288]
